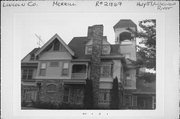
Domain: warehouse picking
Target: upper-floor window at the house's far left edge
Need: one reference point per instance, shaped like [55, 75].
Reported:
[27, 74]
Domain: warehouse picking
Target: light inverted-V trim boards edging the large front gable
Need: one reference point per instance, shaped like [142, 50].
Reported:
[56, 36]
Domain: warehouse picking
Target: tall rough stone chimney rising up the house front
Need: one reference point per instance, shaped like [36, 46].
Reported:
[97, 36]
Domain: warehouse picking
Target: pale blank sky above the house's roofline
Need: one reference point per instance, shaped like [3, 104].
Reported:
[66, 25]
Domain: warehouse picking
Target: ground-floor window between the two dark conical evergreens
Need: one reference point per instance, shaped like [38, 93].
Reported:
[104, 96]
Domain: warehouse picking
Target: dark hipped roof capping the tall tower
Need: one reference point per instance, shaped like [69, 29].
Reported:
[124, 23]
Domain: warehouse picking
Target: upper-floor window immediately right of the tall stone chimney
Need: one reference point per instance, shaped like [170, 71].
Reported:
[106, 70]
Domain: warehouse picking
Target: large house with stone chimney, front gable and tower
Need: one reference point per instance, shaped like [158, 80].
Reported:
[57, 72]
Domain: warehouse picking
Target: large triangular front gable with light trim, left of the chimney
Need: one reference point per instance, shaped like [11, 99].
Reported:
[54, 49]
